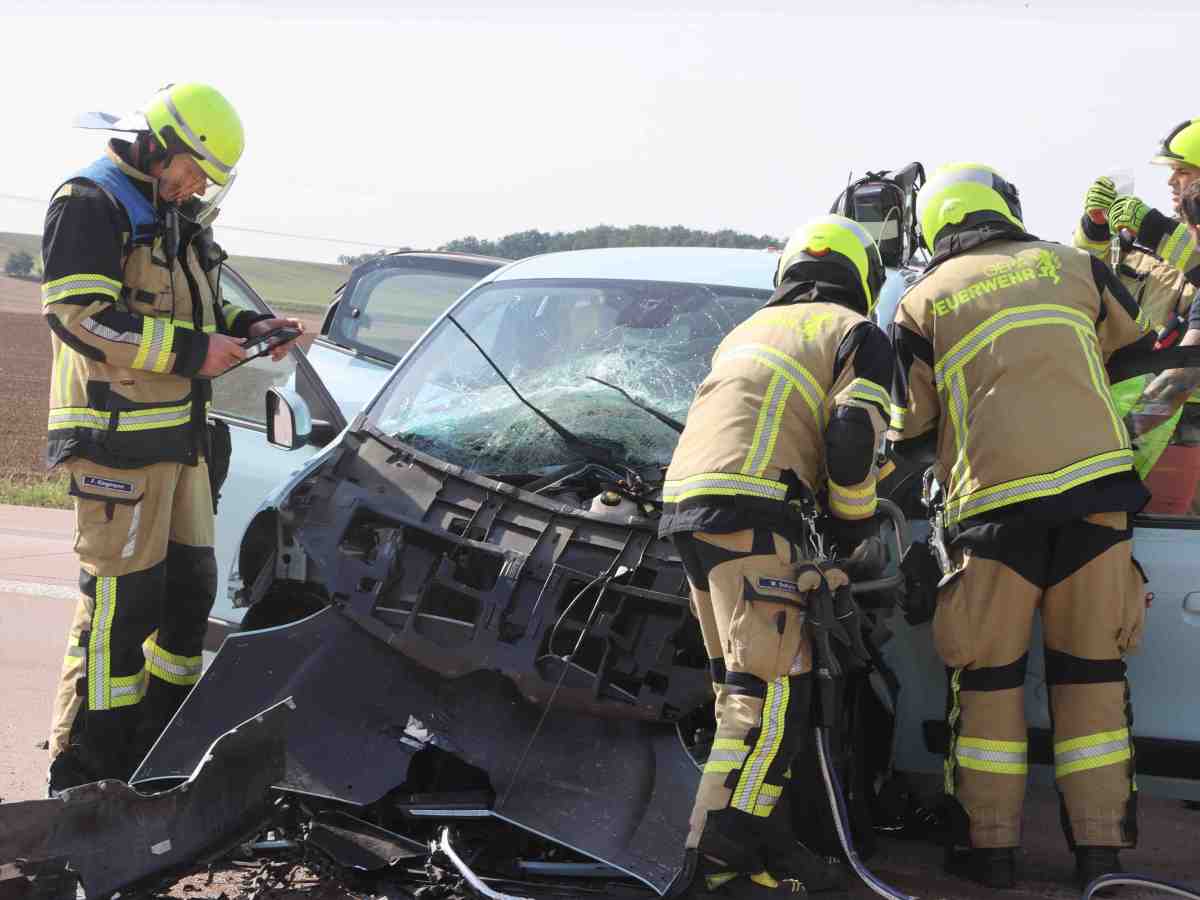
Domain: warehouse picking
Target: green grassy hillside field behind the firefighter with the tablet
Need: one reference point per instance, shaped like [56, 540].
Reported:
[284, 284]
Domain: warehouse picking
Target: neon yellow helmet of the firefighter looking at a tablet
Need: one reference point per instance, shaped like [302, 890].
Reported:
[197, 119]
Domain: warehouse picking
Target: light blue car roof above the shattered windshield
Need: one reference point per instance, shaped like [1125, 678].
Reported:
[697, 266]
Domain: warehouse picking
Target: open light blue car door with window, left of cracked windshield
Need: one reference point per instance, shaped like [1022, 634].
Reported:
[387, 304]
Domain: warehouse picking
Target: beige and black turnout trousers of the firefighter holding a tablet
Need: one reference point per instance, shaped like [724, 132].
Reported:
[145, 539]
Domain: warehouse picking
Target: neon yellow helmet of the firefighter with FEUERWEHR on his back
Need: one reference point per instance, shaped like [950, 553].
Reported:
[962, 190]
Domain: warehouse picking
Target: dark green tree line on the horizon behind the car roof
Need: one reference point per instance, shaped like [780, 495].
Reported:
[533, 242]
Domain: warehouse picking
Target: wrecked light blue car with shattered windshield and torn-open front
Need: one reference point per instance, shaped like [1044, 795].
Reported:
[463, 598]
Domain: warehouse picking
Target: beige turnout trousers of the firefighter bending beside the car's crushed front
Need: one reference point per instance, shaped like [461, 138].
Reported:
[753, 609]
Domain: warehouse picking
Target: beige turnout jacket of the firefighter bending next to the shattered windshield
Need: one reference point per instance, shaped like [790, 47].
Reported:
[799, 375]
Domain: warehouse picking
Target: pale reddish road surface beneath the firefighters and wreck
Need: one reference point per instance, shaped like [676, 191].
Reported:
[38, 575]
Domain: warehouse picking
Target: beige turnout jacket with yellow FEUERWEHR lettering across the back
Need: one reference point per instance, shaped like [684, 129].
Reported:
[1001, 349]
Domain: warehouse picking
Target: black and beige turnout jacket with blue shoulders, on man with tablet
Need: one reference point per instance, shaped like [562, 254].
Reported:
[130, 326]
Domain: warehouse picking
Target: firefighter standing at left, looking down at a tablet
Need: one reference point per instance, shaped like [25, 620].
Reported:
[131, 295]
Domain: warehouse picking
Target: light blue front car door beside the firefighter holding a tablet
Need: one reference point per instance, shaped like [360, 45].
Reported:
[257, 467]
